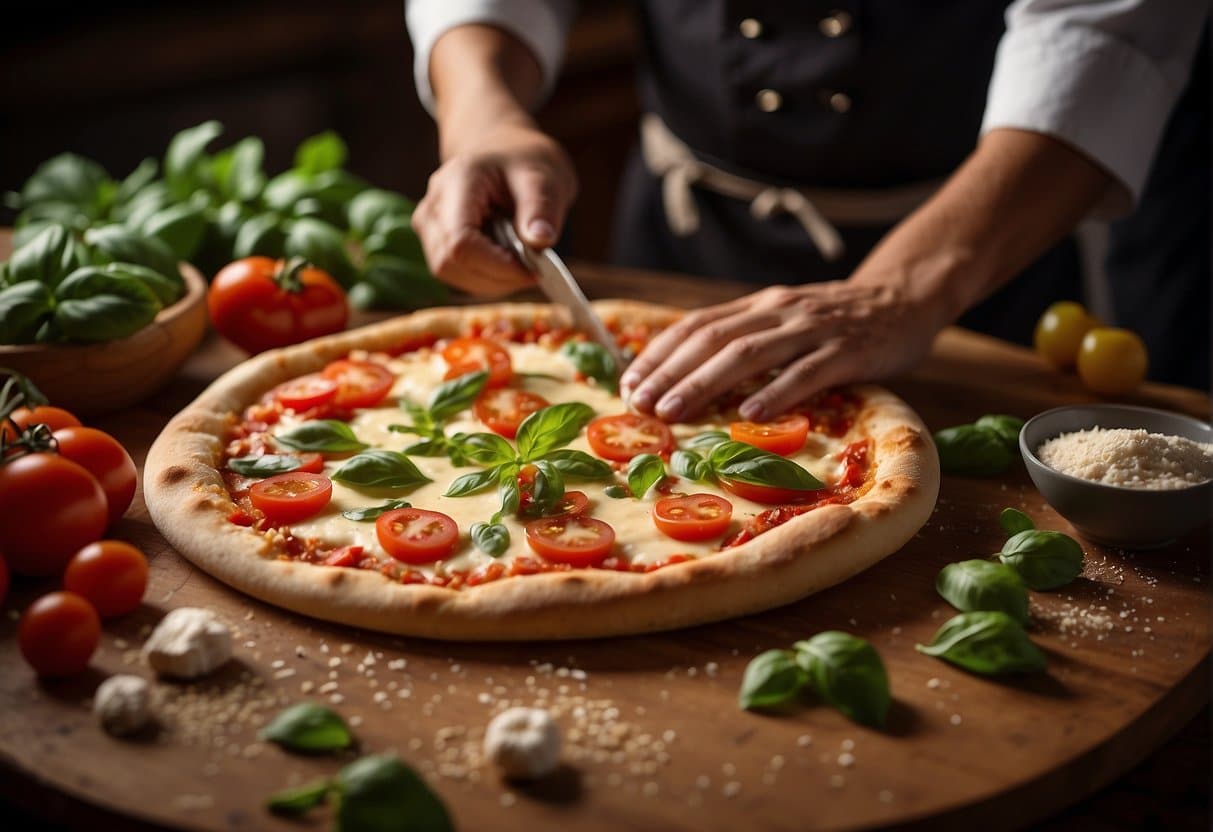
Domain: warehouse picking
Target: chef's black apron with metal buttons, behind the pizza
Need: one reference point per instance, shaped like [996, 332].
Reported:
[913, 79]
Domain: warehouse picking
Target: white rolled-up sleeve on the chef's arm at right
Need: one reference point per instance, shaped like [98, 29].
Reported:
[1102, 76]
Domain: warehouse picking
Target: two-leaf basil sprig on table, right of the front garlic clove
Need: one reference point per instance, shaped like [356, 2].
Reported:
[845, 671]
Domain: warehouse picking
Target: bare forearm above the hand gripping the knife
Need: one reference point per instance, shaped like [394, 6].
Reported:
[482, 77]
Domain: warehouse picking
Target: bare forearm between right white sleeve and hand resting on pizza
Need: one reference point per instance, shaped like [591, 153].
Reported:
[1016, 196]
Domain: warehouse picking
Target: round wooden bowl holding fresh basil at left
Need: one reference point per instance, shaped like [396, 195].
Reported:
[102, 378]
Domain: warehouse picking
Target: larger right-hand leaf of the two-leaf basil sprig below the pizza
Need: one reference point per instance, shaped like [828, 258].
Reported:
[847, 673]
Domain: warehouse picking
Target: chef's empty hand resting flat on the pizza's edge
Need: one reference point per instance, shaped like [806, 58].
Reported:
[821, 334]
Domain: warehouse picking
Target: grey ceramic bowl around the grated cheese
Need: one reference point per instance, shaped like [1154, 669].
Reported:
[1114, 515]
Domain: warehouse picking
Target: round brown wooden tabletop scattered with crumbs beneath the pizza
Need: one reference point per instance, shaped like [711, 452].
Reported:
[1129, 648]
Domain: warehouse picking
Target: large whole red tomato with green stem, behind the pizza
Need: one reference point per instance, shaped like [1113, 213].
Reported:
[259, 304]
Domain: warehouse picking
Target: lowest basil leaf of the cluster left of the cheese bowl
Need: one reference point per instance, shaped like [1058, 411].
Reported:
[987, 643]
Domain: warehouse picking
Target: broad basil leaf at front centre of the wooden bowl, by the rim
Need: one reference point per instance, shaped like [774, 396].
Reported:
[93, 305]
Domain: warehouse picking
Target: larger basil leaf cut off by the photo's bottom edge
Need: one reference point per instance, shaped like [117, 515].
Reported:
[383, 795]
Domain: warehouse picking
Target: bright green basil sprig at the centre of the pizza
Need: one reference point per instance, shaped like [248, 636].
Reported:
[542, 440]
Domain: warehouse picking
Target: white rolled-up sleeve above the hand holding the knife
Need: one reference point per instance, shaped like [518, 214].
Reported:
[542, 25]
